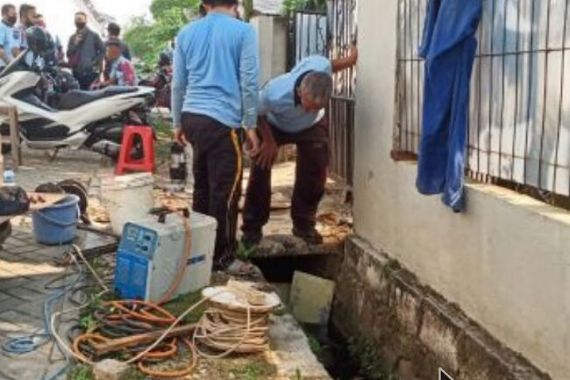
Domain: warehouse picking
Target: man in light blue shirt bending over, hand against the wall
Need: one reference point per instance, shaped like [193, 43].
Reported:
[292, 111]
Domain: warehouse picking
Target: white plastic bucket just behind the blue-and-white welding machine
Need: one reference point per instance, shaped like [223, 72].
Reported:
[127, 198]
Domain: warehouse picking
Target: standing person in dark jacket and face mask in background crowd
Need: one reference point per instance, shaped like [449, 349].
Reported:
[85, 53]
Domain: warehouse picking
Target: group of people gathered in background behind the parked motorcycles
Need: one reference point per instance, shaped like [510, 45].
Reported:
[94, 63]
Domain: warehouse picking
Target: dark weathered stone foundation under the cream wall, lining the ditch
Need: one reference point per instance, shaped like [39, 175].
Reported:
[415, 330]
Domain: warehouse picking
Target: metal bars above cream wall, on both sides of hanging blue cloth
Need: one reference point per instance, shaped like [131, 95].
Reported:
[519, 134]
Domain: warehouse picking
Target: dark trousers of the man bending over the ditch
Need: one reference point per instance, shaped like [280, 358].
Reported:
[310, 179]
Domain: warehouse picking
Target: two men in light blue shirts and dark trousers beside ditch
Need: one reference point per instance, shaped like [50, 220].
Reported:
[217, 106]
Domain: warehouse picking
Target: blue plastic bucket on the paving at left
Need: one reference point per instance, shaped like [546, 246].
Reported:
[57, 224]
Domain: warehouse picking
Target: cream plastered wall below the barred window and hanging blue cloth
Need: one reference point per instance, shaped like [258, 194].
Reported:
[505, 261]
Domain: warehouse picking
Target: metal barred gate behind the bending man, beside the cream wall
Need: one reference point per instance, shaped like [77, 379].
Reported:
[331, 34]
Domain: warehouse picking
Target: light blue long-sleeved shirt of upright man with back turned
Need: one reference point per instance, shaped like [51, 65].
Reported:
[216, 68]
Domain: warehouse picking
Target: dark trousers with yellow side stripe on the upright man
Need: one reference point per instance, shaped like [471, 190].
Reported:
[217, 171]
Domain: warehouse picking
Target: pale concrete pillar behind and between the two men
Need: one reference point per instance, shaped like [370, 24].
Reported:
[272, 34]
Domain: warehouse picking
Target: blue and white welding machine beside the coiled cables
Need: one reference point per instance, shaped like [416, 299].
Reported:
[151, 251]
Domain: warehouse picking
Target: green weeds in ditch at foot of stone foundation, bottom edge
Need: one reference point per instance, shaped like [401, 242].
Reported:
[367, 358]
